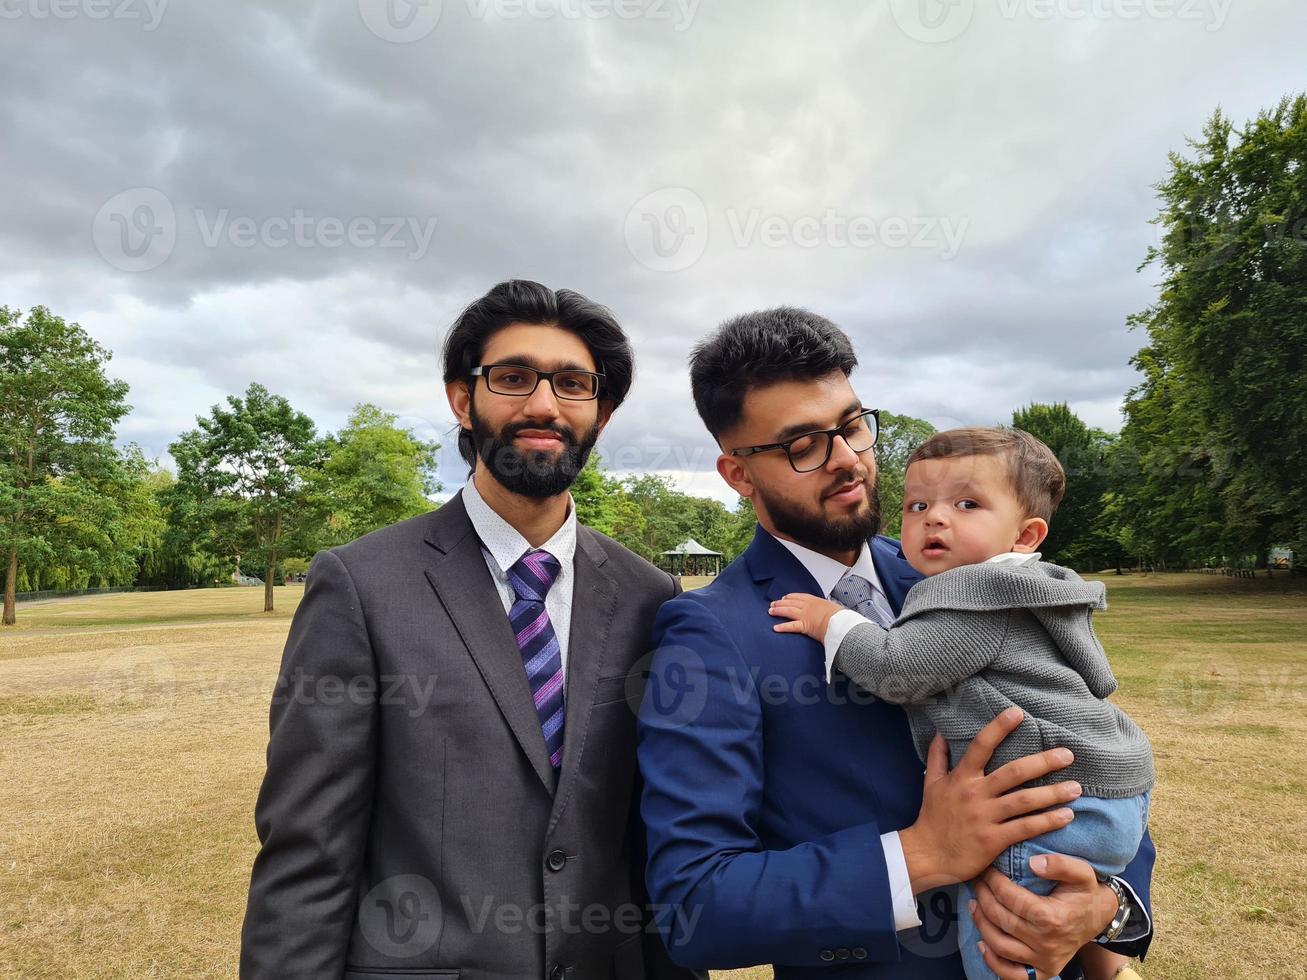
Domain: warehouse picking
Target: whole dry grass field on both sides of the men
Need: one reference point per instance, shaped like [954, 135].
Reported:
[133, 732]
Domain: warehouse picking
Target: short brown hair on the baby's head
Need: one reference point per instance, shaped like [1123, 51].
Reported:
[1037, 476]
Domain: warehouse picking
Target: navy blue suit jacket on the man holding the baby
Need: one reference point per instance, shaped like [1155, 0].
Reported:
[767, 791]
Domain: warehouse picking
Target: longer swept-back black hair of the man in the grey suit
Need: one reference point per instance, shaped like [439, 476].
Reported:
[523, 301]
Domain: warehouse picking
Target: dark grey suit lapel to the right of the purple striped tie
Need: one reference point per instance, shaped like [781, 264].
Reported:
[594, 607]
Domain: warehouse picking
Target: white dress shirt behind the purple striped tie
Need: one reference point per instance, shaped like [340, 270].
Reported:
[506, 546]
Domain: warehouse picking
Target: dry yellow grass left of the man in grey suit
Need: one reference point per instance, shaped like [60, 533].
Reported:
[133, 730]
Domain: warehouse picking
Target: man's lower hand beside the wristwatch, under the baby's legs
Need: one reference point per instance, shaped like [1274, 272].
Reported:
[1020, 927]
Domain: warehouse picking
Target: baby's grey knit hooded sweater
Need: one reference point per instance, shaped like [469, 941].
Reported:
[978, 640]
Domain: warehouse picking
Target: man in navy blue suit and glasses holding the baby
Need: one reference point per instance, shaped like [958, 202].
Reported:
[787, 815]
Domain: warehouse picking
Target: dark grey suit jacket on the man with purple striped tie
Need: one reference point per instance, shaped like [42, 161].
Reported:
[408, 817]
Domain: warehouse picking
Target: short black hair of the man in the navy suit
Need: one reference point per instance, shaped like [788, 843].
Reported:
[753, 351]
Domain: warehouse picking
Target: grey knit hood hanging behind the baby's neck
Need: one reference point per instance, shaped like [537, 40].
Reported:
[1058, 598]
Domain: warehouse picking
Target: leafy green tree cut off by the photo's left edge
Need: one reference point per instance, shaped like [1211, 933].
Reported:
[58, 463]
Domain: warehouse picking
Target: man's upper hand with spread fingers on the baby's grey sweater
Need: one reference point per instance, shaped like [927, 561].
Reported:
[969, 819]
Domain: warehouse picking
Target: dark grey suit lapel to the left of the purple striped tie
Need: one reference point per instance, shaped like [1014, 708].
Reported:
[461, 578]
